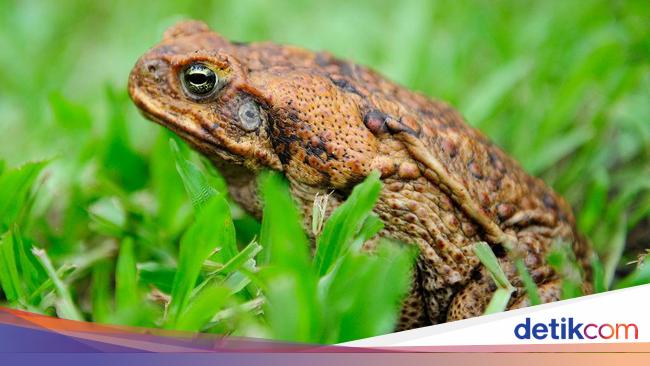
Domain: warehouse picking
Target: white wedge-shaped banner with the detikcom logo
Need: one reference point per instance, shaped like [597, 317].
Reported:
[614, 316]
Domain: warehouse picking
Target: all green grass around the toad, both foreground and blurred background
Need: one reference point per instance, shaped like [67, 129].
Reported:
[118, 217]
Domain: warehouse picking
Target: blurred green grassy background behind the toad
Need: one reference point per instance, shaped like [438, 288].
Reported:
[564, 86]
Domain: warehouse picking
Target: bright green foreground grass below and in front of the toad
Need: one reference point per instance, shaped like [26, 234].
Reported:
[273, 288]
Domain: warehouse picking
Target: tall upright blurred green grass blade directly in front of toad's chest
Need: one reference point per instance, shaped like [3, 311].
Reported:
[289, 282]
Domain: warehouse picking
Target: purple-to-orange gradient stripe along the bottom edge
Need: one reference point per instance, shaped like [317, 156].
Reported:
[27, 333]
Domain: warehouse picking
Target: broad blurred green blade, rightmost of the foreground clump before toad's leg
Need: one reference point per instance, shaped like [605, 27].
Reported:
[355, 276]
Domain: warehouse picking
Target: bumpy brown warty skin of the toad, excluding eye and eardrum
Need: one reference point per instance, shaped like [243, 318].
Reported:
[327, 123]
